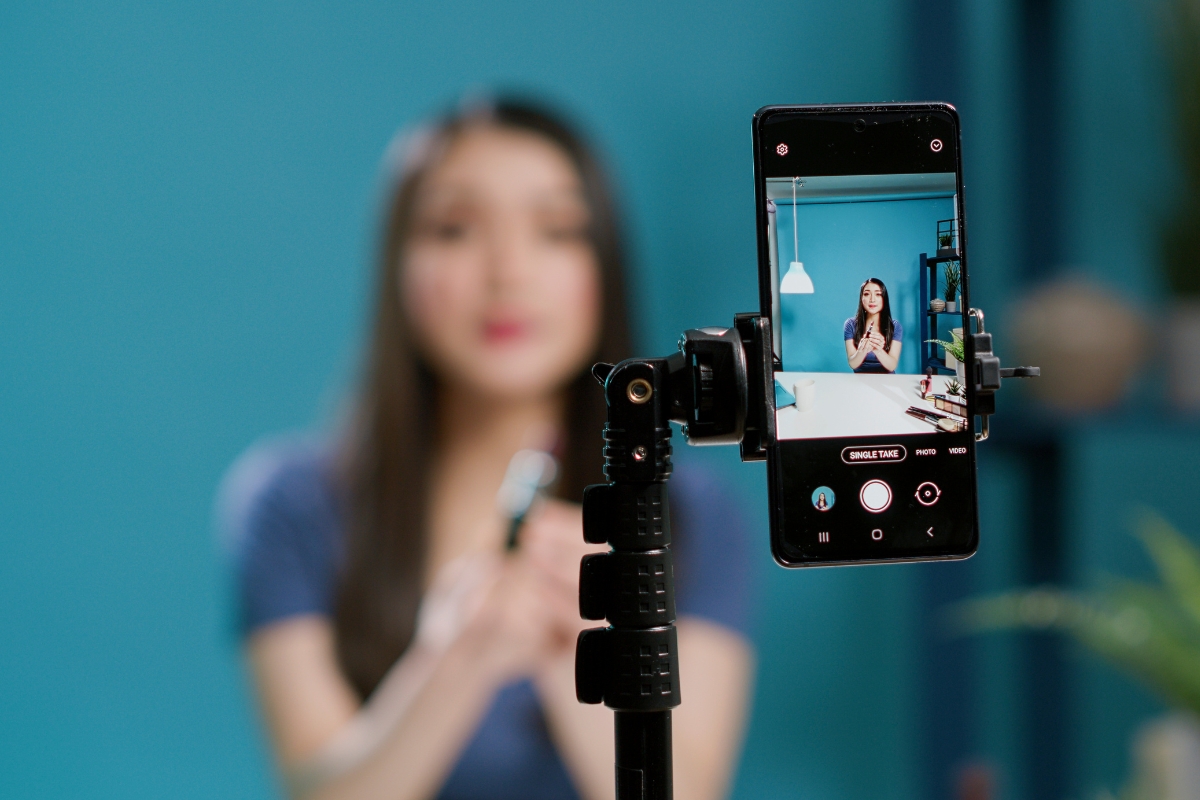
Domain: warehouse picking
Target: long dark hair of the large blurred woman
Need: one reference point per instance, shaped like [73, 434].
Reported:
[388, 454]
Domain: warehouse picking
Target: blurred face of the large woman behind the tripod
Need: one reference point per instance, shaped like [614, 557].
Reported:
[500, 280]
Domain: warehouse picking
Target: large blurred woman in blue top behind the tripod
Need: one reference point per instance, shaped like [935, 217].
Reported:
[397, 648]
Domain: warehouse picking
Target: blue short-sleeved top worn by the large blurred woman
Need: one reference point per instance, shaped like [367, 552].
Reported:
[284, 525]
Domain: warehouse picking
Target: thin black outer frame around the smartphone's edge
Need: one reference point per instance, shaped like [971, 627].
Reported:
[775, 468]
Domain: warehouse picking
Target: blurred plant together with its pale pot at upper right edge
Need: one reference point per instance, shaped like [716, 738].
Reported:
[1181, 233]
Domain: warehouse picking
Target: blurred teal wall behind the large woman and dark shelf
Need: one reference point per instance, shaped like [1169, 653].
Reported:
[188, 199]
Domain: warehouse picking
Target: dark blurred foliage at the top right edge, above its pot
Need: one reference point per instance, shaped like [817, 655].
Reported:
[1181, 234]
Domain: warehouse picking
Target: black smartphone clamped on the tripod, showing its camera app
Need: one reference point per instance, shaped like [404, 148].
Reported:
[861, 232]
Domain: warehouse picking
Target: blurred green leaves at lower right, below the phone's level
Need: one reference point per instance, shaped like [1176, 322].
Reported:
[1149, 630]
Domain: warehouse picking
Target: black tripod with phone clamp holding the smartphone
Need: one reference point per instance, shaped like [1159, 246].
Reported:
[721, 388]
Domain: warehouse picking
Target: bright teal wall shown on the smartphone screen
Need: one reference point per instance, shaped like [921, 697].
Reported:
[842, 245]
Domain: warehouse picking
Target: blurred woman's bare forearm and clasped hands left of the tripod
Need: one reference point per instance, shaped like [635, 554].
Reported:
[487, 619]
